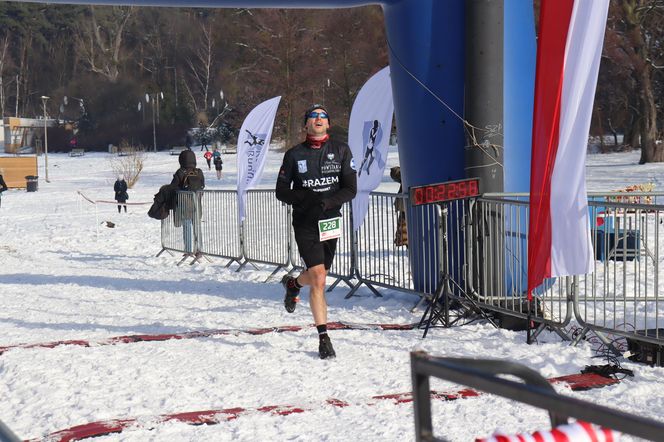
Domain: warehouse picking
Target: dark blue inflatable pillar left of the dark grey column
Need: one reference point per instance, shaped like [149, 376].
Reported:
[426, 49]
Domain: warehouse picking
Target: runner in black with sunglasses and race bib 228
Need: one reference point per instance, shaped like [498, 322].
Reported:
[316, 177]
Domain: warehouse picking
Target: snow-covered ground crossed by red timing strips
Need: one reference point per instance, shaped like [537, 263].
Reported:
[59, 280]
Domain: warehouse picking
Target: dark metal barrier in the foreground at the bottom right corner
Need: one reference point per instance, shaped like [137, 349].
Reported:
[537, 392]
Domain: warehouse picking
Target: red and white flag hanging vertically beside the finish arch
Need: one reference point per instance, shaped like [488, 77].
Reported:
[568, 55]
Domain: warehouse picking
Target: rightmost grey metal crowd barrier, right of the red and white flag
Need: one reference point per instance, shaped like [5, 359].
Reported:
[622, 294]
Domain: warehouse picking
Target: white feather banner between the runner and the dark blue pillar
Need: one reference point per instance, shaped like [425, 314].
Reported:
[368, 137]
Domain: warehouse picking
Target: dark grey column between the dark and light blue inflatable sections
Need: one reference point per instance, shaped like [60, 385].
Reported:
[483, 114]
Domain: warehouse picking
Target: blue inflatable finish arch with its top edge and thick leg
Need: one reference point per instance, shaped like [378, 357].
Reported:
[440, 50]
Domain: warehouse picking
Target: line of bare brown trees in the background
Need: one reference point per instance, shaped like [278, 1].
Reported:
[201, 60]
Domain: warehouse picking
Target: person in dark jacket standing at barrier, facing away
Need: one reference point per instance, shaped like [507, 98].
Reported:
[190, 179]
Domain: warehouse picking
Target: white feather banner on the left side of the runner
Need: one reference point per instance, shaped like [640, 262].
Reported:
[253, 144]
